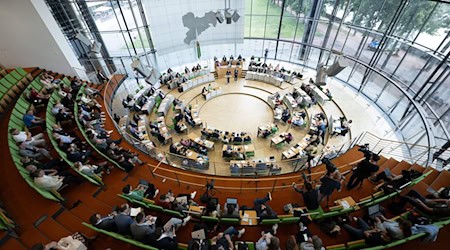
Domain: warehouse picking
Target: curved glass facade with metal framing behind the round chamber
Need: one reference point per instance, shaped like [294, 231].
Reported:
[398, 49]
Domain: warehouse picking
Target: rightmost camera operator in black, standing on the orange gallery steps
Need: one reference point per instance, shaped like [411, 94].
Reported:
[365, 169]
